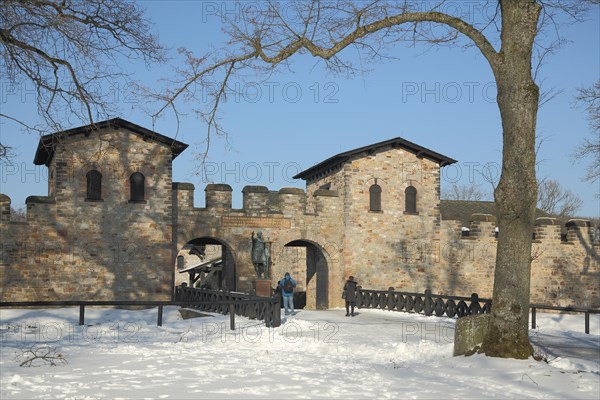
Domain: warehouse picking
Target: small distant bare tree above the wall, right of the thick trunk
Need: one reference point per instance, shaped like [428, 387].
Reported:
[557, 201]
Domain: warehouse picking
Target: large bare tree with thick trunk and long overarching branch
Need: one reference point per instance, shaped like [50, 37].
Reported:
[266, 41]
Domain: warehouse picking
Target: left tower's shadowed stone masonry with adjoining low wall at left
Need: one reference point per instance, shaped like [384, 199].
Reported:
[71, 248]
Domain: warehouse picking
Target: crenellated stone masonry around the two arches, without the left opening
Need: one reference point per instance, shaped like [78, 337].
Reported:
[285, 225]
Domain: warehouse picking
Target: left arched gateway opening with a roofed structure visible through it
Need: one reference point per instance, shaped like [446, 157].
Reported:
[206, 262]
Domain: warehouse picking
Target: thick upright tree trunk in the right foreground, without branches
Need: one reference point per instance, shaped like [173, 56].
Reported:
[516, 194]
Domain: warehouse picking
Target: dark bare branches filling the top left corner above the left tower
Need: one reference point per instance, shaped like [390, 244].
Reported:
[69, 52]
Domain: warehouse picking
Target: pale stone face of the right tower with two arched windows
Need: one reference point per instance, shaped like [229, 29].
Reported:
[374, 241]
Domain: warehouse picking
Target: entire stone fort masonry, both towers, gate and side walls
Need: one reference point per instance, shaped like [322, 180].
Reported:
[70, 248]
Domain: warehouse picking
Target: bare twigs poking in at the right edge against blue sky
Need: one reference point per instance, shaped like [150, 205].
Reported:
[590, 147]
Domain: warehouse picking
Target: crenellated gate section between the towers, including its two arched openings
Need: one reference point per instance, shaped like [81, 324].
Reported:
[219, 256]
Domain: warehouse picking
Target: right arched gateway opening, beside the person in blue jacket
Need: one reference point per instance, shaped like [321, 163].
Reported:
[309, 257]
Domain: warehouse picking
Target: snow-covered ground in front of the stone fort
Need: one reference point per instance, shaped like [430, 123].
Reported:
[315, 354]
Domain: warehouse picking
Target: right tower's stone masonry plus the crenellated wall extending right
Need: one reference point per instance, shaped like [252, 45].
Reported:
[418, 252]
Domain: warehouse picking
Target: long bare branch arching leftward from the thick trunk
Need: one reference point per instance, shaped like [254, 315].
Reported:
[324, 30]
